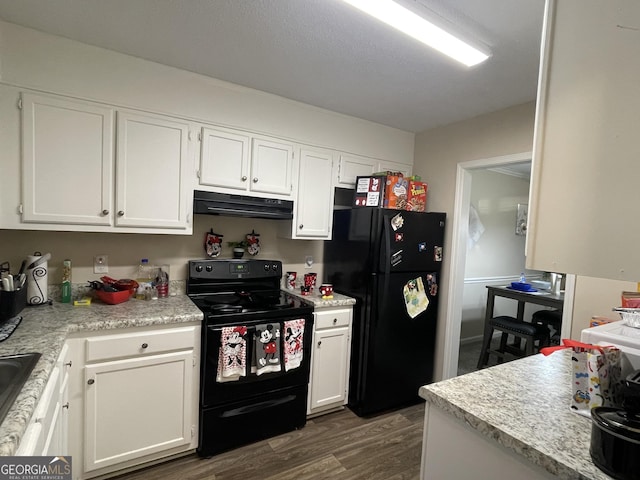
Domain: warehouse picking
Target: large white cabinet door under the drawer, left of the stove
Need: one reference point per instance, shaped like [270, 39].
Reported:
[136, 407]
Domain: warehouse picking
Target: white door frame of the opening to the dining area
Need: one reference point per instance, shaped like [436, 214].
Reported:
[455, 294]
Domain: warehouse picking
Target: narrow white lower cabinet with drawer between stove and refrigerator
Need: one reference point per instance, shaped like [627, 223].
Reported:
[330, 358]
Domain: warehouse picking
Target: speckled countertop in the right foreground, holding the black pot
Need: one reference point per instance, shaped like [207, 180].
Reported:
[524, 406]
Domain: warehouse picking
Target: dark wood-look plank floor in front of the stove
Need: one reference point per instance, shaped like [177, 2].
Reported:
[338, 446]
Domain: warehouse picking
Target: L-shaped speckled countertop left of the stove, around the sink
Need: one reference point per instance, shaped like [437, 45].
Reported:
[44, 329]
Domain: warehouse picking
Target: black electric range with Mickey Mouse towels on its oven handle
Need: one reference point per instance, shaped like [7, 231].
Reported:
[242, 296]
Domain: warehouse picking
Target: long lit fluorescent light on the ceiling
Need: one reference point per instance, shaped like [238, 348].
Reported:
[417, 27]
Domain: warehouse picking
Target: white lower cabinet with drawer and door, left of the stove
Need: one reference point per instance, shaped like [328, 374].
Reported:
[139, 389]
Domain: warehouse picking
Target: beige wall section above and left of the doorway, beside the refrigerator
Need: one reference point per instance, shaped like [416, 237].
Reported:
[437, 154]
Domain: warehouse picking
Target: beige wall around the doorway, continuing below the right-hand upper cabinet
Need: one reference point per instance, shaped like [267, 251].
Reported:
[506, 132]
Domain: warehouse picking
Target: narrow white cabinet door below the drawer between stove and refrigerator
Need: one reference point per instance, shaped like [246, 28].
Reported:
[330, 364]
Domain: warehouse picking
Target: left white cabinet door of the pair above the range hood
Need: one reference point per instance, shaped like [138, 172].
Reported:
[224, 159]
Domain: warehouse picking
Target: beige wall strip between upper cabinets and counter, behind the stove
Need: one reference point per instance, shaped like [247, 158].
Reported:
[126, 250]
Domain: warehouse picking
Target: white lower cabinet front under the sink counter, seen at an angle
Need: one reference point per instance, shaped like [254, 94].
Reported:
[46, 433]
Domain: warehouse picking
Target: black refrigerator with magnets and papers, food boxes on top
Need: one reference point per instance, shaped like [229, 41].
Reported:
[390, 261]
